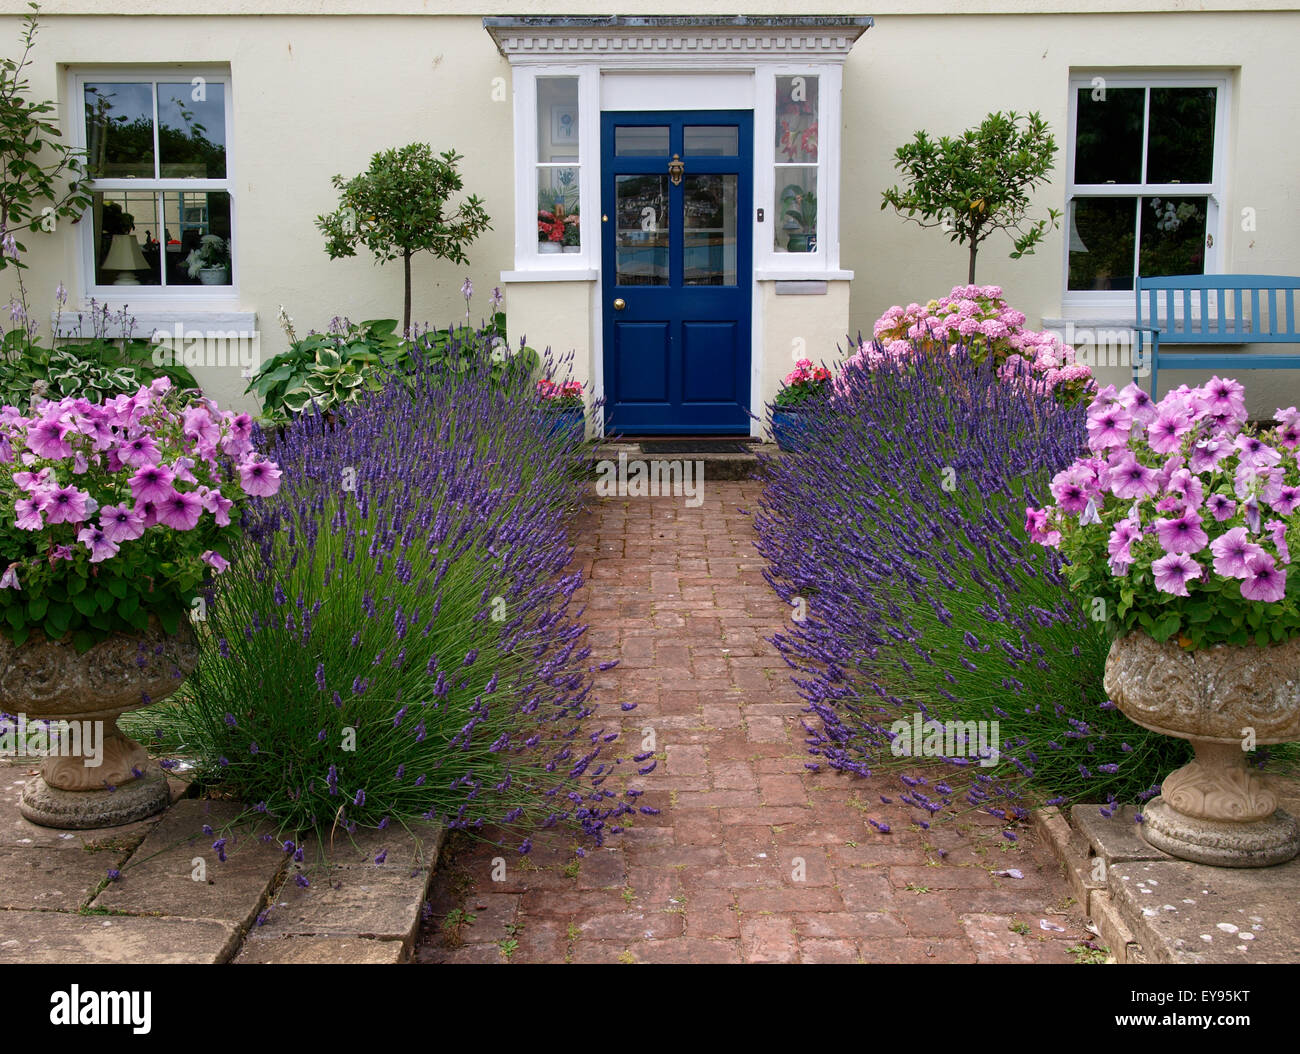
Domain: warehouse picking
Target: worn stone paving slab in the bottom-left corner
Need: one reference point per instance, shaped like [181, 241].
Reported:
[36, 938]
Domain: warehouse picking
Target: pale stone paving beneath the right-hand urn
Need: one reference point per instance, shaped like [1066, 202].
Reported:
[1155, 908]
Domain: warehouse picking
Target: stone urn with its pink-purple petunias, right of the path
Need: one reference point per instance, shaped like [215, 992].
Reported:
[1178, 526]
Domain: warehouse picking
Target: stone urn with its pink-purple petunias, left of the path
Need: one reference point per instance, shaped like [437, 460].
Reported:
[115, 518]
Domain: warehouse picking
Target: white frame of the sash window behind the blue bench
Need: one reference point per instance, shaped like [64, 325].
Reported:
[1123, 303]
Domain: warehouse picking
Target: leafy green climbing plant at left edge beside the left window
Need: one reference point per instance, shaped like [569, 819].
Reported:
[27, 180]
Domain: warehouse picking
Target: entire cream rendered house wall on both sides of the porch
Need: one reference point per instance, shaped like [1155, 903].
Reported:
[317, 96]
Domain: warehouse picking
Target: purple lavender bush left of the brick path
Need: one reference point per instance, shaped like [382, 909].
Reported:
[395, 641]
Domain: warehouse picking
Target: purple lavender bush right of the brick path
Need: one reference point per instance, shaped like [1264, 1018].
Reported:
[900, 532]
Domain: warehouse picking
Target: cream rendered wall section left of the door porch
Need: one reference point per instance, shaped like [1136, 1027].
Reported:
[313, 97]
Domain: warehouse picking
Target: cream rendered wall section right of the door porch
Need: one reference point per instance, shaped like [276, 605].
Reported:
[990, 63]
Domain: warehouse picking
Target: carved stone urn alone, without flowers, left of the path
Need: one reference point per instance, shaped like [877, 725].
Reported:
[47, 680]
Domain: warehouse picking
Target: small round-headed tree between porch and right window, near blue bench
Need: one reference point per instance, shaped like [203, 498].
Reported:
[980, 183]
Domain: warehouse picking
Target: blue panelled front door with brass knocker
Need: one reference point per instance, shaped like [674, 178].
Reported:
[677, 206]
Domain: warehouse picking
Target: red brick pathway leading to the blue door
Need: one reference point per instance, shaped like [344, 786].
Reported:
[753, 858]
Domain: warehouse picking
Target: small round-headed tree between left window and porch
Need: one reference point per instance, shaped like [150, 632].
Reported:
[400, 207]
